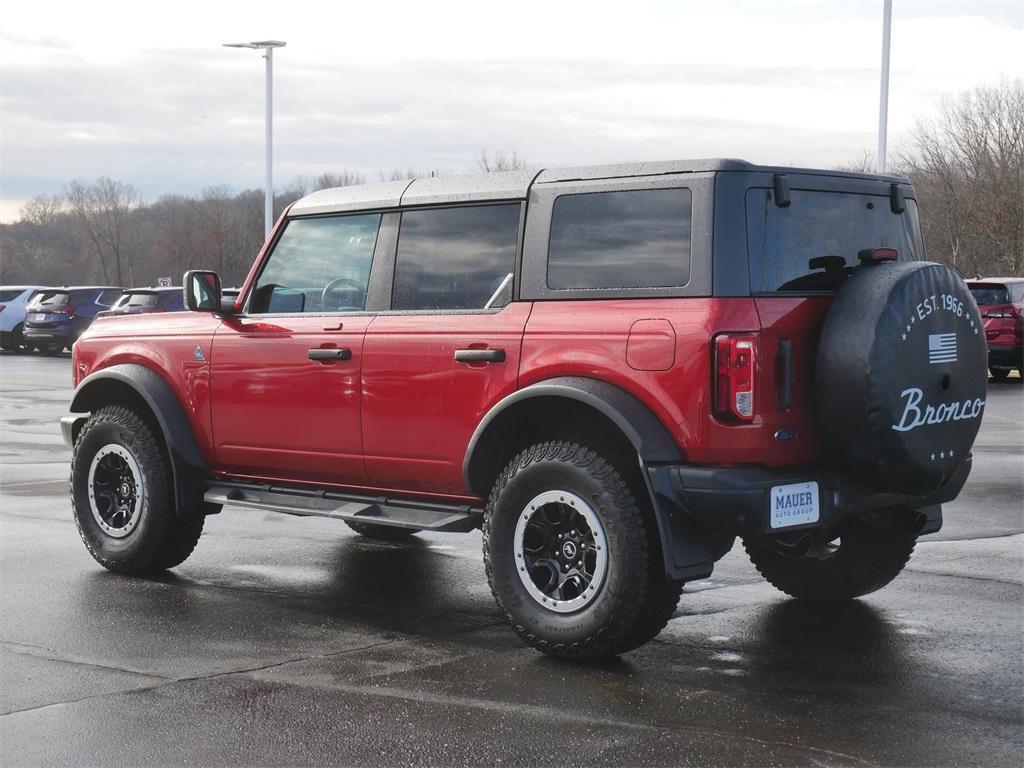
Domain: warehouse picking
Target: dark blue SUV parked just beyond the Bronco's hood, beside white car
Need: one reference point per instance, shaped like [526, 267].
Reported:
[57, 317]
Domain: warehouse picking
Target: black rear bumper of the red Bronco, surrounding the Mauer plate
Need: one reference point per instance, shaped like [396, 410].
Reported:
[701, 510]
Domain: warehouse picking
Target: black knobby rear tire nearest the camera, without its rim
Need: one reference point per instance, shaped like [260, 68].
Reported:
[635, 601]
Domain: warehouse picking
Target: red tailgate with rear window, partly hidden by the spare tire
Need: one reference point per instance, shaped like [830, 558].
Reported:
[800, 254]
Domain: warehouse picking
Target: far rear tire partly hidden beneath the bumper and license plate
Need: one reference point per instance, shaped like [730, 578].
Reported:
[867, 561]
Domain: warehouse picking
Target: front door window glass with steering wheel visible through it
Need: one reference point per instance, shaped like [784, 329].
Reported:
[319, 266]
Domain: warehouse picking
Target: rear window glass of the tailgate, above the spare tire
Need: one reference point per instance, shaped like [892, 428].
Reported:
[812, 246]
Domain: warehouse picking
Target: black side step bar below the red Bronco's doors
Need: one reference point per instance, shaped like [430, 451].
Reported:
[400, 514]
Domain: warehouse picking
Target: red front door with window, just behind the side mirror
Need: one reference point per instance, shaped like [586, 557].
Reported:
[286, 392]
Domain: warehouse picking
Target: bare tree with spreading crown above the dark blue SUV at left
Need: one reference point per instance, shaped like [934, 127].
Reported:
[105, 214]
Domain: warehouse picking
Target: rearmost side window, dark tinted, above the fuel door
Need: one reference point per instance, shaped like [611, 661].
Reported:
[638, 239]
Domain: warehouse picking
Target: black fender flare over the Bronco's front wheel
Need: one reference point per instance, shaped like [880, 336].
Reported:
[188, 465]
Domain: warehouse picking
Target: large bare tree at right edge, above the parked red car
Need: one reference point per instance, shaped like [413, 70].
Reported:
[968, 167]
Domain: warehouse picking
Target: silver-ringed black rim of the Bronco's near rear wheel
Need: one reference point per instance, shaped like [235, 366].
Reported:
[562, 551]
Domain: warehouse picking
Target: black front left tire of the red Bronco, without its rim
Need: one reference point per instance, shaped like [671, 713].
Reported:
[161, 539]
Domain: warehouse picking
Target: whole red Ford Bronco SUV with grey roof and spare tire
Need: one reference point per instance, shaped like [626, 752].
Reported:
[615, 372]
